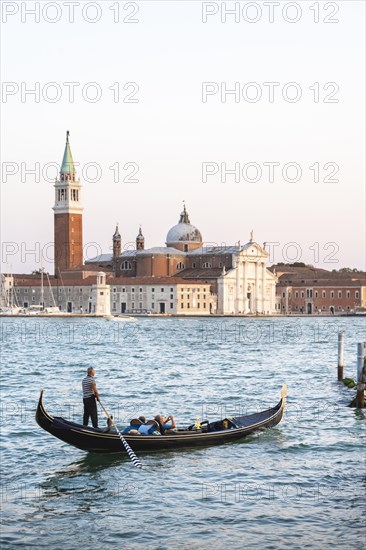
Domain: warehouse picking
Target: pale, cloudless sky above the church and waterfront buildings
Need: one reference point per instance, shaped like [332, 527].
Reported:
[254, 118]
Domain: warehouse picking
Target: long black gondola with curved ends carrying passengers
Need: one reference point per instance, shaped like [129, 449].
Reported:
[211, 433]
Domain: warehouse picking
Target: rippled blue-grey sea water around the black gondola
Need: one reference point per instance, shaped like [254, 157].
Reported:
[300, 484]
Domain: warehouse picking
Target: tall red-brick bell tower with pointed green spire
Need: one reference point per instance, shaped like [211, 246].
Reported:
[68, 218]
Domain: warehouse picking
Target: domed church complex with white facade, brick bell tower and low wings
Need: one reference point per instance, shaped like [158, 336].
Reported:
[183, 277]
